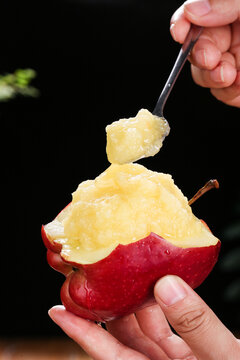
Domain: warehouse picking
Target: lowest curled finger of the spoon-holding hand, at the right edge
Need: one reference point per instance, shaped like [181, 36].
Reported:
[230, 95]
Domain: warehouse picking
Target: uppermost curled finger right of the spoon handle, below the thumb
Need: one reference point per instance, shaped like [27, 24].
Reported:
[208, 50]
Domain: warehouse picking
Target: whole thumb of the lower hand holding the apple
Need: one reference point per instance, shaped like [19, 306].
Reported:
[194, 321]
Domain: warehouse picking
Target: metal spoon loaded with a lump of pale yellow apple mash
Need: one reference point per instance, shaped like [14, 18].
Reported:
[143, 135]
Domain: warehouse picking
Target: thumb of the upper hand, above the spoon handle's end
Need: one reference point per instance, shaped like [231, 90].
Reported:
[212, 12]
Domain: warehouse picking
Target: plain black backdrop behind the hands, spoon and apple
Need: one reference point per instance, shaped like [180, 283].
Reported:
[98, 61]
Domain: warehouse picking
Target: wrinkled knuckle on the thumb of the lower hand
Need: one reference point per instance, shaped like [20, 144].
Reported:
[194, 320]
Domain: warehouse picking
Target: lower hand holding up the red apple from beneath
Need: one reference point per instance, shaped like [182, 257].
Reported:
[147, 334]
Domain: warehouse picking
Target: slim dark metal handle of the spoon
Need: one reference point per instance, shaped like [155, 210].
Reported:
[187, 46]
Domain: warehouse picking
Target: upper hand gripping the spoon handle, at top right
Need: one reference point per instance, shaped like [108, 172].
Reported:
[215, 58]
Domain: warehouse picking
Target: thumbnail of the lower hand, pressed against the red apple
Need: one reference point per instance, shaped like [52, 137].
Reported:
[170, 290]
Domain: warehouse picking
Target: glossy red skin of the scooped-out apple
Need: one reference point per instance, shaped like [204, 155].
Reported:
[123, 282]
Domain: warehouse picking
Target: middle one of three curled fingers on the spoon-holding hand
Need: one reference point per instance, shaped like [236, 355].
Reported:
[222, 76]
